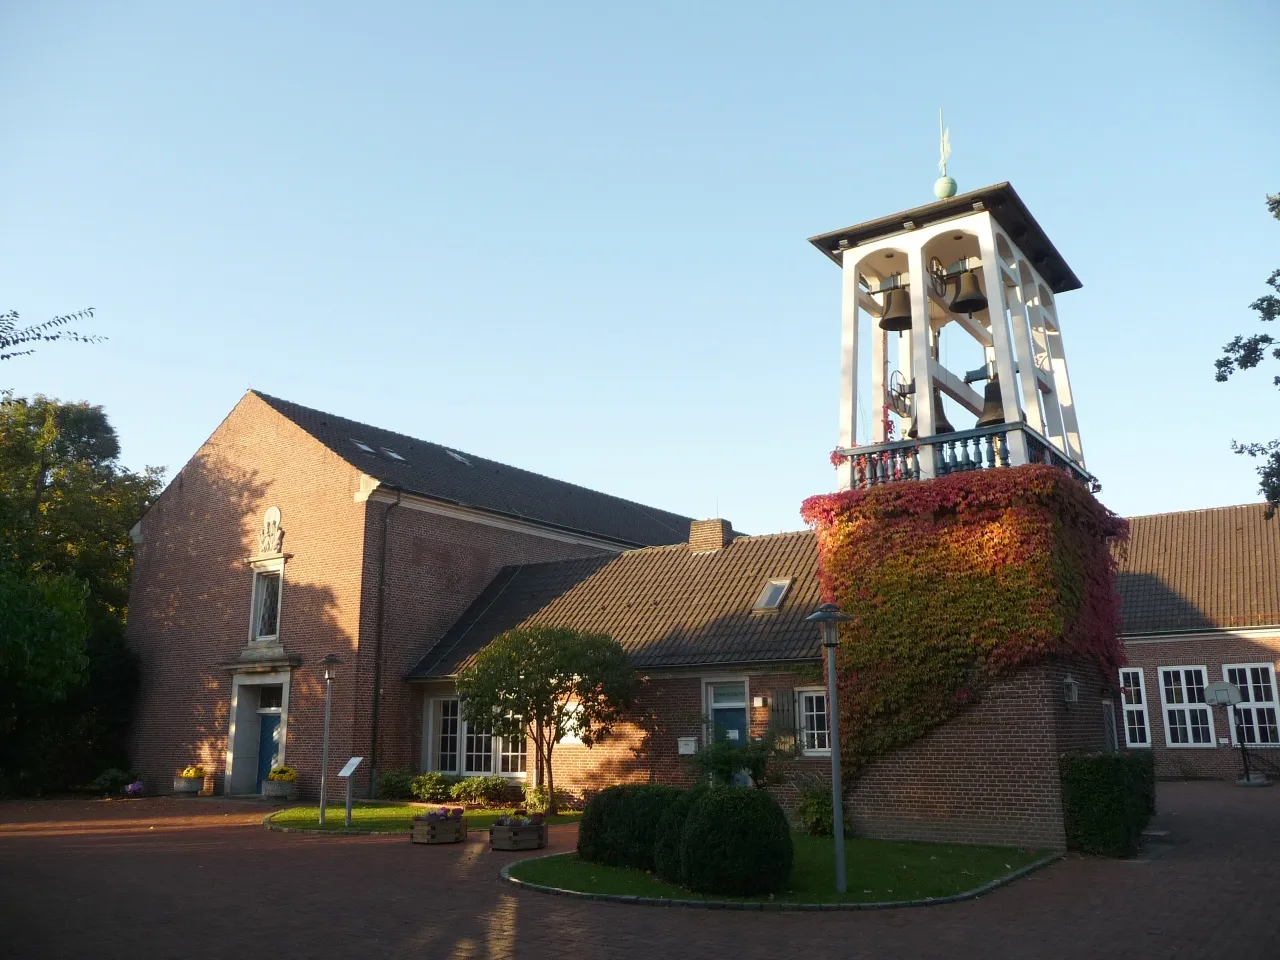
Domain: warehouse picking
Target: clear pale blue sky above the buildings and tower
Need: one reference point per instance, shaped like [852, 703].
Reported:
[572, 237]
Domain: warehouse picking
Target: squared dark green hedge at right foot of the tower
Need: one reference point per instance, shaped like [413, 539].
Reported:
[1108, 801]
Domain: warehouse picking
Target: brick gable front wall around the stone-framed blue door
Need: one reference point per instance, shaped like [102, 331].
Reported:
[190, 597]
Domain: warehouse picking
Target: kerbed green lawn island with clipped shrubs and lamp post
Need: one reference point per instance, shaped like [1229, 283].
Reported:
[877, 871]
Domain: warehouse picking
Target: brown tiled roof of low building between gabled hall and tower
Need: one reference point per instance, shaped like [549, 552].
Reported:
[668, 607]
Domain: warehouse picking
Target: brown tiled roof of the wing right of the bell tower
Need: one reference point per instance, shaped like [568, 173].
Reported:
[1203, 570]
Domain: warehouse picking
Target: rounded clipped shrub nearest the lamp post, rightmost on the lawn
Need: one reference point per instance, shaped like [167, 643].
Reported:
[737, 843]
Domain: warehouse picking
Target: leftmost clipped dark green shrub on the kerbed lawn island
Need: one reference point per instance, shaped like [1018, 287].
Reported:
[620, 825]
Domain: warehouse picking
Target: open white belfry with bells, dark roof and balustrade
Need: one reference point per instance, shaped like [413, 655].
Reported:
[953, 295]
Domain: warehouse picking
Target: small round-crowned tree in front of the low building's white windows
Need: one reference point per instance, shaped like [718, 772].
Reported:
[546, 684]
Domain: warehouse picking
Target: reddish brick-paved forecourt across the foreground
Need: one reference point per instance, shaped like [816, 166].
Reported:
[200, 879]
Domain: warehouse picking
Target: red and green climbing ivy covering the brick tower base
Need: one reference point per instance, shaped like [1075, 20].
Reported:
[956, 582]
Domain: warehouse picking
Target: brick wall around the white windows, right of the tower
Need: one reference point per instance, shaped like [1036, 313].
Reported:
[1220, 761]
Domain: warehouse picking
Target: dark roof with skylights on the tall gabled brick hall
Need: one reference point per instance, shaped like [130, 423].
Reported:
[436, 472]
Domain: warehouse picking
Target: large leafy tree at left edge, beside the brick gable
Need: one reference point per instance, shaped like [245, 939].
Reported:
[66, 509]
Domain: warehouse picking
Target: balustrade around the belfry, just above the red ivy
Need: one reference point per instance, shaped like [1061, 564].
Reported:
[981, 449]
